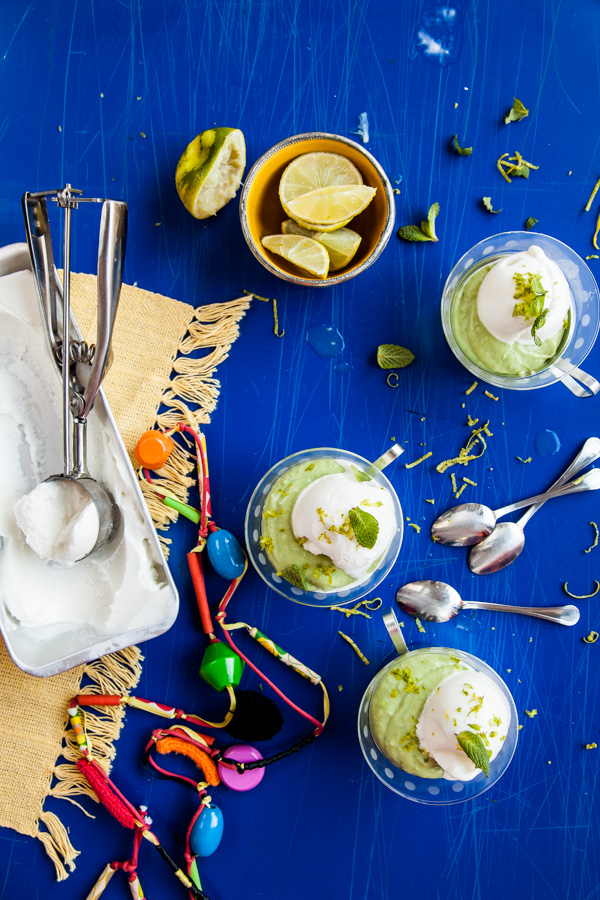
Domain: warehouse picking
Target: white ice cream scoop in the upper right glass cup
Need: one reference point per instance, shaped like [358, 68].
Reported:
[496, 297]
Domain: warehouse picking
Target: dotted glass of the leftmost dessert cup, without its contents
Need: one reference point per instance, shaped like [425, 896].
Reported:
[260, 559]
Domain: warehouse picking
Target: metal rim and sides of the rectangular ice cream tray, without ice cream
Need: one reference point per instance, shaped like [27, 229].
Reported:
[72, 648]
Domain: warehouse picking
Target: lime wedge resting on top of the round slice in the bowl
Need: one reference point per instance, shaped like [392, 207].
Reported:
[330, 206]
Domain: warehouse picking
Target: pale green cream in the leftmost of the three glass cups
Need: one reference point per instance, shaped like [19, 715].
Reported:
[277, 536]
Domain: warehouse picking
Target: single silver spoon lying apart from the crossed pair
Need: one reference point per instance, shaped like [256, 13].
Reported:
[436, 601]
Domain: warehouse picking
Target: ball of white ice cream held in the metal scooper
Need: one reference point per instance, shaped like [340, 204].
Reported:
[59, 521]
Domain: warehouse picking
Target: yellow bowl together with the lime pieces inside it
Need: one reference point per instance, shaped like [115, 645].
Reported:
[317, 209]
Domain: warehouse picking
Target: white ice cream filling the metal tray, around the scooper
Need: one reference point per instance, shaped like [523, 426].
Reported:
[120, 588]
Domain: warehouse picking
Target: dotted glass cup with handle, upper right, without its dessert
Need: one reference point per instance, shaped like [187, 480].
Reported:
[585, 312]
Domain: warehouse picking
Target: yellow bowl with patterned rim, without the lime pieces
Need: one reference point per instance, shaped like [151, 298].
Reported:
[261, 212]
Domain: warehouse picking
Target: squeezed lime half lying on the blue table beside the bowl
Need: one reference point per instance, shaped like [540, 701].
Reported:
[210, 170]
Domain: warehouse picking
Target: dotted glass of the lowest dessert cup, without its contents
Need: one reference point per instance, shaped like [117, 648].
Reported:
[433, 791]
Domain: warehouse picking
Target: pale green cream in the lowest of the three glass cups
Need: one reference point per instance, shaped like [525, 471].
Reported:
[397, 703]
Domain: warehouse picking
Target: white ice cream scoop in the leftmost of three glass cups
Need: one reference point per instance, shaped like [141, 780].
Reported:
[321, 516]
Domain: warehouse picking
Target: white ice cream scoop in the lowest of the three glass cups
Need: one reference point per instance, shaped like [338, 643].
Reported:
[465, 701]
